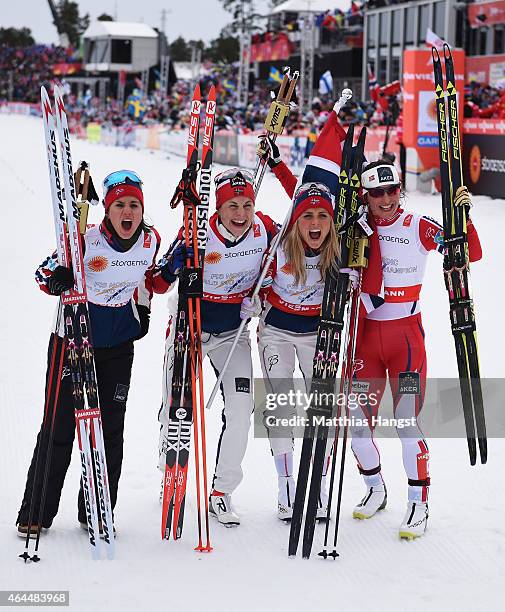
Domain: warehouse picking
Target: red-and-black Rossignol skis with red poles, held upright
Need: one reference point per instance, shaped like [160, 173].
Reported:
[187, 408]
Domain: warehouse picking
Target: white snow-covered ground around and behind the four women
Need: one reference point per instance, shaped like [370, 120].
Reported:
[458, 565]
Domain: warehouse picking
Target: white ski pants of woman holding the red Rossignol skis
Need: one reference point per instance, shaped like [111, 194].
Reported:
[236, 389]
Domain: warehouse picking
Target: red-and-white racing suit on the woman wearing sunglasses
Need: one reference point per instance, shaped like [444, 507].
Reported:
[391, 342]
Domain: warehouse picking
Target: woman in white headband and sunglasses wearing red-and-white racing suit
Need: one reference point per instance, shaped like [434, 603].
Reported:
[391, 337]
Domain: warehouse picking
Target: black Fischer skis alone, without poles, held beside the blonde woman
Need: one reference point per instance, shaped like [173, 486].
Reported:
[326, 357]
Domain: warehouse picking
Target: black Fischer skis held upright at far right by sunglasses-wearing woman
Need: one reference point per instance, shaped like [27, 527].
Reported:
[456, 258]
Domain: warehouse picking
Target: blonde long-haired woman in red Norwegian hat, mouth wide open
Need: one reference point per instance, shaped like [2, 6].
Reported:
[289, 323]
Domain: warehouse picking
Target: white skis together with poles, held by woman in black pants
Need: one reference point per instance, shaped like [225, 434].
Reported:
[75, 344]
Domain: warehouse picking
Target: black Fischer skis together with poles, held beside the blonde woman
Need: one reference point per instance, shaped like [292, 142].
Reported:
[335, 312]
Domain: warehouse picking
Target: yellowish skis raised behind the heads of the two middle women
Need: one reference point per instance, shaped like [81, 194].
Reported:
[275, 122]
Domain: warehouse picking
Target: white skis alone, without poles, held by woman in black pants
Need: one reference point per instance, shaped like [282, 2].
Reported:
[75, 320]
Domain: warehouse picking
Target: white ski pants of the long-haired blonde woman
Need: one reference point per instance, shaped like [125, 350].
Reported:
[278, 349]
